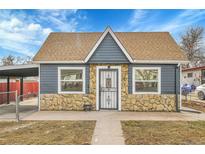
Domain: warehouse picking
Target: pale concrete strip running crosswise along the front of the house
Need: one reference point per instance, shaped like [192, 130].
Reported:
[115, 115]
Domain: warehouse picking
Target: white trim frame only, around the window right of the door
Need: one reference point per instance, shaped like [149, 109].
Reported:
[146, 68]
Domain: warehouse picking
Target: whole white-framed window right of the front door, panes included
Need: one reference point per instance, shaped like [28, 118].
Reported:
[146, 80]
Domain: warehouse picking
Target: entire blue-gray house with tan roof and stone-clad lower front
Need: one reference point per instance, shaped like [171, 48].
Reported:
[128, 71]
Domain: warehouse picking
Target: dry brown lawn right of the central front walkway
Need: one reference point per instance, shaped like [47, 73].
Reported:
[164, 132]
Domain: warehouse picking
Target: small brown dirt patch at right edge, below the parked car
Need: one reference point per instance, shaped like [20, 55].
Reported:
[194, 105]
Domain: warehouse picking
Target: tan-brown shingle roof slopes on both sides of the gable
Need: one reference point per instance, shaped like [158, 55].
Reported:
[139, 45]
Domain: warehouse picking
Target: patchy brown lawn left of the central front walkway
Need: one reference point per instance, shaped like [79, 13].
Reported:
[46, 132]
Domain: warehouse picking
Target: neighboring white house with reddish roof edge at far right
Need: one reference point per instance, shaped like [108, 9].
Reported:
[193, 76]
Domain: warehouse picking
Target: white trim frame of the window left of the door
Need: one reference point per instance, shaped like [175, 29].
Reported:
[59, 80]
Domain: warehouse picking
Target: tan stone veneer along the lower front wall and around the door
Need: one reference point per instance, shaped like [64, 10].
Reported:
[129, 102]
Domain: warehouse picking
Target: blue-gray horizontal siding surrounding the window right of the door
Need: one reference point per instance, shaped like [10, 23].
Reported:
[168, 77]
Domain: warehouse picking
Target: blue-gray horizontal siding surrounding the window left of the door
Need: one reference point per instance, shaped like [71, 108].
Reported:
[49, 77]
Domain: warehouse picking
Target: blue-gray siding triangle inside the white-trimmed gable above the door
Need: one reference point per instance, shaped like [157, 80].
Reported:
[108, 52]
